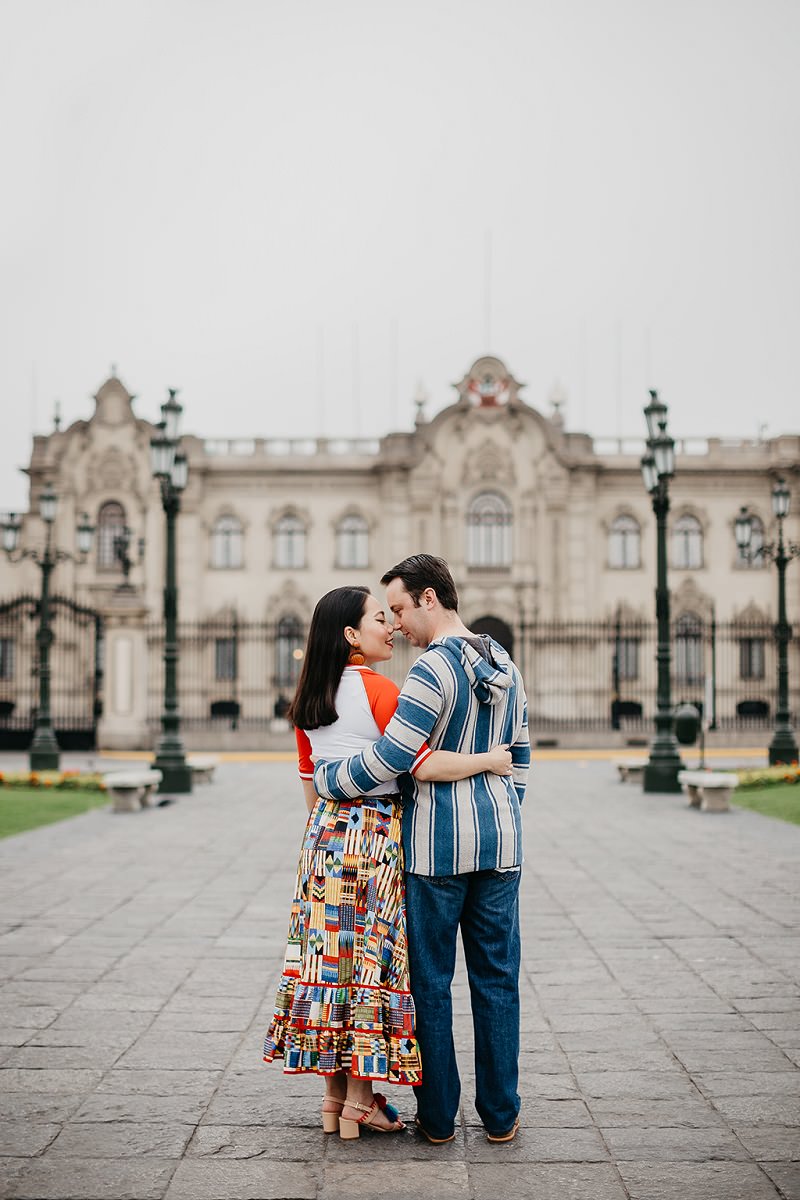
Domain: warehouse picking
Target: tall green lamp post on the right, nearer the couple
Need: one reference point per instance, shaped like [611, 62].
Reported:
[658, 469]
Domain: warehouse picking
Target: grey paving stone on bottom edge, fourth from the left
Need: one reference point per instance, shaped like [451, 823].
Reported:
[557, 1181]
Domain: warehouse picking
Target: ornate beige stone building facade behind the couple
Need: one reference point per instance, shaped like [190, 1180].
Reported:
[550, 536]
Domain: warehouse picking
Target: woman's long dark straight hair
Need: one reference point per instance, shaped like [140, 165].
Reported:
[327, 653]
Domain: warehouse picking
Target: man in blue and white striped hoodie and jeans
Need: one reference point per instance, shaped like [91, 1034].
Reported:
[462, 843]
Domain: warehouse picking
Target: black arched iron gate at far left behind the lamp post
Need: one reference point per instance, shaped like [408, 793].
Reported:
[76, 673]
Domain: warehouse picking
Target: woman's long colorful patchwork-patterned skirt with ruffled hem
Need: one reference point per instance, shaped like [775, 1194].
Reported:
[344, 1003]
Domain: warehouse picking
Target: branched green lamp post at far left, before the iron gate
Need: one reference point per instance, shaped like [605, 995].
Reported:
[44, 753]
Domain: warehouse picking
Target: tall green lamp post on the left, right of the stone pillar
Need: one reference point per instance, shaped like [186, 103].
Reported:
[171, 469]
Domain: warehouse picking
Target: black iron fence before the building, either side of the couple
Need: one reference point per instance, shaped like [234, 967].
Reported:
[579, 675]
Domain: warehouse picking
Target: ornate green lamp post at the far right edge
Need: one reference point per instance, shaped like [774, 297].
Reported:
[784, 747]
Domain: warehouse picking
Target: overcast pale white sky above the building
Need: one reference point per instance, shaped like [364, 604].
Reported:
[296, 211]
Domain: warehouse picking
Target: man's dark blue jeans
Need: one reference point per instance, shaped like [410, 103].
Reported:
[486, 905]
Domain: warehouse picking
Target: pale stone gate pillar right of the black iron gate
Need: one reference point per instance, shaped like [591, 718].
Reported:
[124, 724]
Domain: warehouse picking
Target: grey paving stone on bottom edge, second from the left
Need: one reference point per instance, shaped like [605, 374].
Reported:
[234, 1180]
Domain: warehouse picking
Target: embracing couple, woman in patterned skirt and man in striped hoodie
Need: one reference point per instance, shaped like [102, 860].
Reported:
[389, 872]
